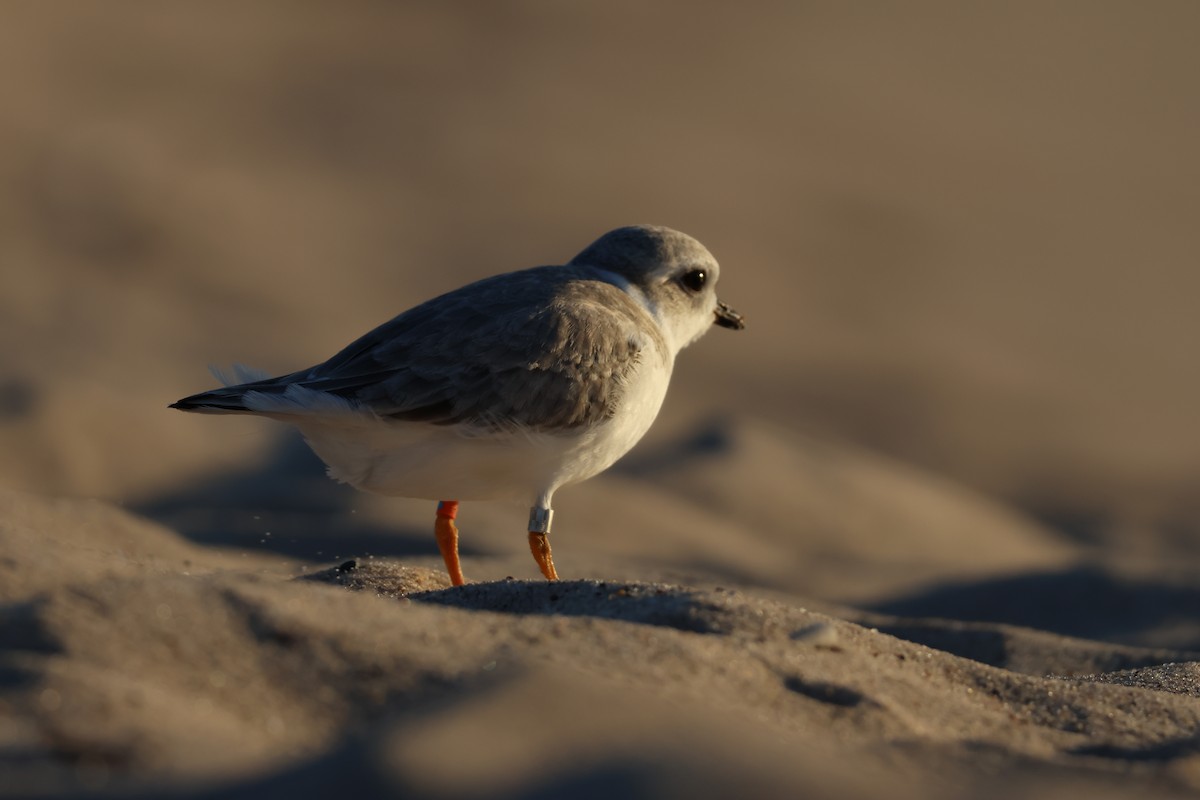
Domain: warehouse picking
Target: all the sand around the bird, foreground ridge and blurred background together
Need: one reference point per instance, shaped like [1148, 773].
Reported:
[926, 530]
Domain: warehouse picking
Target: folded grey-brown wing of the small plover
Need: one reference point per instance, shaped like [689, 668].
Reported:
[547, 350]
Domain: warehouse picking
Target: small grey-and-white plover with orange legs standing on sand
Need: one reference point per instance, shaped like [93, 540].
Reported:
[506, 389]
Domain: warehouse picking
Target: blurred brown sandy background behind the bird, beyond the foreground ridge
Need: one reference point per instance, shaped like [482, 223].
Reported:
[965, 238]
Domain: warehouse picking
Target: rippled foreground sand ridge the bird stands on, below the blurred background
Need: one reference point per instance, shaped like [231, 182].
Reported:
[141, 664]
